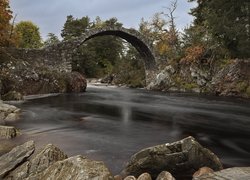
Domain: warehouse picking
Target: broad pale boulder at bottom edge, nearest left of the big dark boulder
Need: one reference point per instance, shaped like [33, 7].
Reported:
[77, 168]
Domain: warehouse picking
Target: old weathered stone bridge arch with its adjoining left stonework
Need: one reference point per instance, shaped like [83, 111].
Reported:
[65, 51]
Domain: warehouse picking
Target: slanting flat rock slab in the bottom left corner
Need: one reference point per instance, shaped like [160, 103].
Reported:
[15, 157]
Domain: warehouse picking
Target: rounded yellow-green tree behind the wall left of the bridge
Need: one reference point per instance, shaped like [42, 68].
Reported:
[29, 35]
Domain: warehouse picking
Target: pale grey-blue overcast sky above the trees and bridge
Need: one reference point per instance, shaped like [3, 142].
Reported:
[50, 15]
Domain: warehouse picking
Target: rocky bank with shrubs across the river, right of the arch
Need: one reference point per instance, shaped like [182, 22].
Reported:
[230, 78]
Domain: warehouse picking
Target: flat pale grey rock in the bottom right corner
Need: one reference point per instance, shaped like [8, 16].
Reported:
[236, 173]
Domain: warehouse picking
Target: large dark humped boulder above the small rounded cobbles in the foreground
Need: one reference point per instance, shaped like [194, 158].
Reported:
[179, 158]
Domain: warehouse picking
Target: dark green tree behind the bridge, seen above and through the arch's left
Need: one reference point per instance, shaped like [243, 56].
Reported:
[97, 56]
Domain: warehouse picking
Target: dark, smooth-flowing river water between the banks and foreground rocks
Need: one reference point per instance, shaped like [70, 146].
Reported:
[110, 124]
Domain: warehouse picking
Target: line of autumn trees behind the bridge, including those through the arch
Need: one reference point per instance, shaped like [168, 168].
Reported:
[220, 31]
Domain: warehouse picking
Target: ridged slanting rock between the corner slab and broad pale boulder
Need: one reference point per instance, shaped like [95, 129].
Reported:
[37, 164]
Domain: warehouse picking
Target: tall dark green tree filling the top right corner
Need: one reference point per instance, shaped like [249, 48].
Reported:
[228, 23]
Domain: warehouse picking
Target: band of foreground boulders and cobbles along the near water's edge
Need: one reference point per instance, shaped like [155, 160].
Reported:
[178, 160]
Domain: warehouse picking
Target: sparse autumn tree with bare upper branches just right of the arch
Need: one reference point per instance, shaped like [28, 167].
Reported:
[163, 32]
